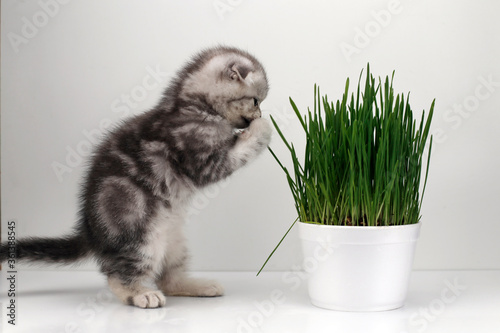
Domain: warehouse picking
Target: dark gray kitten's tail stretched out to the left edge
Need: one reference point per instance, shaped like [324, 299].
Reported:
[64, 250]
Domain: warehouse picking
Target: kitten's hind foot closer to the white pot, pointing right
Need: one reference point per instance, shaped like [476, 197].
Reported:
[176, 282]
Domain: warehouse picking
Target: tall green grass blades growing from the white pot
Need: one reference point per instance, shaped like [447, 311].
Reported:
[363, 158]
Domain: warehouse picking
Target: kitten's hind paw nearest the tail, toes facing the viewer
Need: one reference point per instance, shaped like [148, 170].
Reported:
[136, 294]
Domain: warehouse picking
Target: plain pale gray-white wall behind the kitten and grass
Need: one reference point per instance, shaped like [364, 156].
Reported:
[67, 69]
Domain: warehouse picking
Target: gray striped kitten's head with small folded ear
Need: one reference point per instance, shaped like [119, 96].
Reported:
[232, 82]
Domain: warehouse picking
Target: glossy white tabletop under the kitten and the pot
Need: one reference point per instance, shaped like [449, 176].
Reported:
[79, 301]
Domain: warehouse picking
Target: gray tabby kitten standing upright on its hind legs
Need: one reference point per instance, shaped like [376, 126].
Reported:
[143, 175]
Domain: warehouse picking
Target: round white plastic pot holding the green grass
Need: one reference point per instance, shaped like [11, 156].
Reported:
[358, 268]
